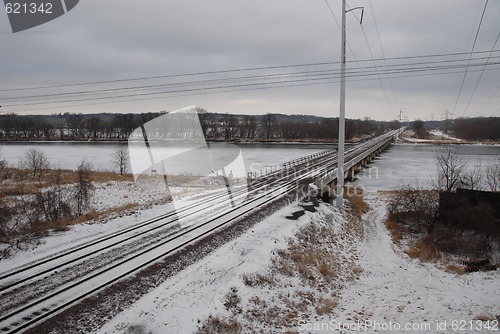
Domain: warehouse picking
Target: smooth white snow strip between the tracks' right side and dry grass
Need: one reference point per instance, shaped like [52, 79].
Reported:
[195, 293]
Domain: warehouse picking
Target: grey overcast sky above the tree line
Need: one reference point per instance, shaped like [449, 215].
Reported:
[106, 40]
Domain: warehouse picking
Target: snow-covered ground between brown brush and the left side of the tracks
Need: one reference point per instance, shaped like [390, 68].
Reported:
[140, 202]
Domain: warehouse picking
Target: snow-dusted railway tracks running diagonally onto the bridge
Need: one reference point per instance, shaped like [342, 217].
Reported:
[155, 239]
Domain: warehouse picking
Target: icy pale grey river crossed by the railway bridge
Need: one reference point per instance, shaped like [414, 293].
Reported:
[400, 164]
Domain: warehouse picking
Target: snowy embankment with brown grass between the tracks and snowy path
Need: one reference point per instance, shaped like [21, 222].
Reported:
[274, 276]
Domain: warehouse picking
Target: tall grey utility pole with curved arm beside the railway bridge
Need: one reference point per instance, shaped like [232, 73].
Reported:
[341, 147]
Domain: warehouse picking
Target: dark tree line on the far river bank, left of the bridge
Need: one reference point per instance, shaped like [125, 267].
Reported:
[216, 126]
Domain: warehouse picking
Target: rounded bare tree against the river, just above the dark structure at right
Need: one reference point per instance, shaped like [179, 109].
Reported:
[451, 167]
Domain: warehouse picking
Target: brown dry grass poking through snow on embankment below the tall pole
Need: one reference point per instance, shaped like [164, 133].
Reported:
[304, 278]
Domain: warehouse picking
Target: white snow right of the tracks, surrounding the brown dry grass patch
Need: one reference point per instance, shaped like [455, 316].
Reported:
[393, 291]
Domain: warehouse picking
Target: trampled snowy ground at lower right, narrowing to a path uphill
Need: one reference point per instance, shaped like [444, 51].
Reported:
[413, 296]
